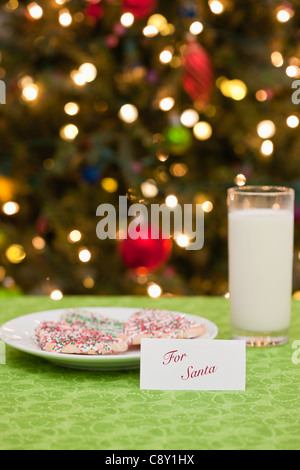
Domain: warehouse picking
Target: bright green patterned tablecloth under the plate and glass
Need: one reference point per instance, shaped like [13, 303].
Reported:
[44, 406]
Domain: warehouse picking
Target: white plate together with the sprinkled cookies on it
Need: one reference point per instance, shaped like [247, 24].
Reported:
[101, 338]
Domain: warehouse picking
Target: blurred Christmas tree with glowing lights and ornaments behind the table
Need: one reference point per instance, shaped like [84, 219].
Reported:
[148, 99]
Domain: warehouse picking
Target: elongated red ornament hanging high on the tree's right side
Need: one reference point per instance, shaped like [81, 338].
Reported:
[198, 74]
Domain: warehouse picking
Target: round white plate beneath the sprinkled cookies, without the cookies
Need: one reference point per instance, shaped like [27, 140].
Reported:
[20, 334]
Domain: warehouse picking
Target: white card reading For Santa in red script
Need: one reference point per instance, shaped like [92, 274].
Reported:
[191, 364]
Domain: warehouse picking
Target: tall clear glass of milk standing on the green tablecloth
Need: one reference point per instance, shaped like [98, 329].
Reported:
[260, 245]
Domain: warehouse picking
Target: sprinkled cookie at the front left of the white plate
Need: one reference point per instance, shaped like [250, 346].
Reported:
[63, 337]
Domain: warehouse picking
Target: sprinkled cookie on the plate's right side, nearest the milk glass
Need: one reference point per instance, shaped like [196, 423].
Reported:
[152, 323]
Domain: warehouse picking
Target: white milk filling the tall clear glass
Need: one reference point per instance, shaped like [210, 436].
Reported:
[260, 269]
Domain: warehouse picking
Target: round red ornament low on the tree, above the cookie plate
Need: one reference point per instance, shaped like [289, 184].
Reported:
[148, 253]
